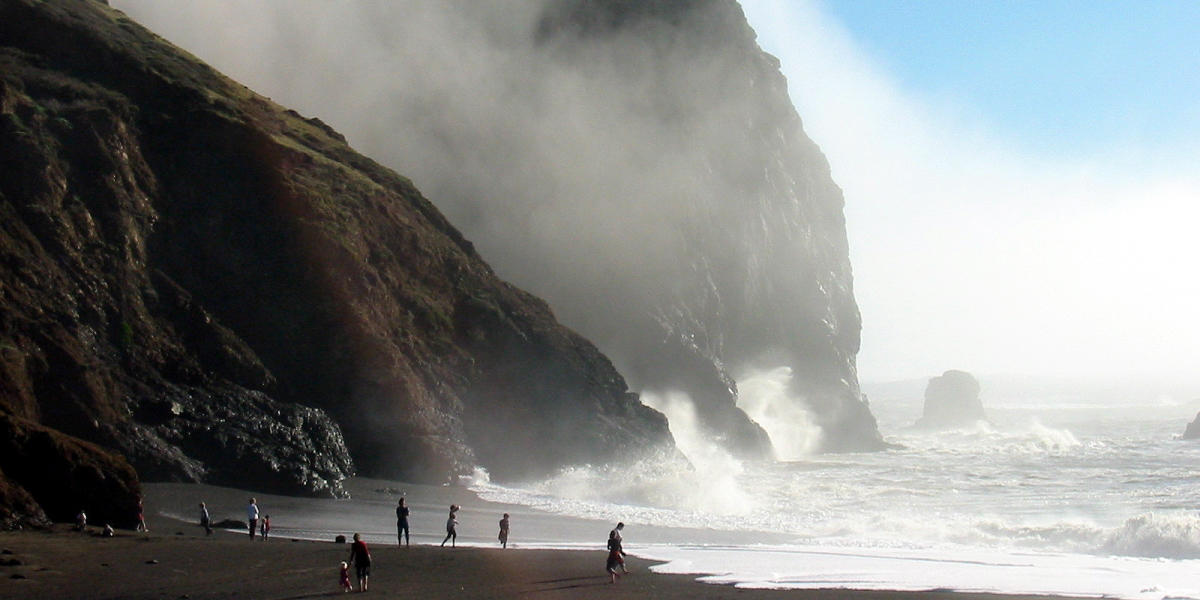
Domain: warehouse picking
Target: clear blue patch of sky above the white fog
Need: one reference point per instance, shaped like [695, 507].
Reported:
[1059, 76]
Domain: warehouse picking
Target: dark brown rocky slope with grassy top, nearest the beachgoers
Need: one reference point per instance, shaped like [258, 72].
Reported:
[221, 290]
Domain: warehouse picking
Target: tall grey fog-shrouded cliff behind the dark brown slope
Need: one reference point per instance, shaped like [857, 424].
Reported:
[638, 165]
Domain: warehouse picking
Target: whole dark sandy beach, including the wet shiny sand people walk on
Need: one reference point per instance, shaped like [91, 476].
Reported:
[177, 561]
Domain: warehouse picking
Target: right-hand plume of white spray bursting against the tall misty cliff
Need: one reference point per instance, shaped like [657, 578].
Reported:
[764, 397]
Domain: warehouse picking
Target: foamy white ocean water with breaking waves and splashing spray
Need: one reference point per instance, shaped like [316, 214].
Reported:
[1085, 493]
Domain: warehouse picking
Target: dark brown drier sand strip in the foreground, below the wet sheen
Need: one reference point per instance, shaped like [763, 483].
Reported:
[178, 562]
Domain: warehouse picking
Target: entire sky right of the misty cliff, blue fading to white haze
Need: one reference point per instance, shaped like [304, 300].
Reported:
[1022, 178]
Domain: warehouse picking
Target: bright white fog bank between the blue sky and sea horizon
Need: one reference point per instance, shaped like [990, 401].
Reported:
[975, 250]
